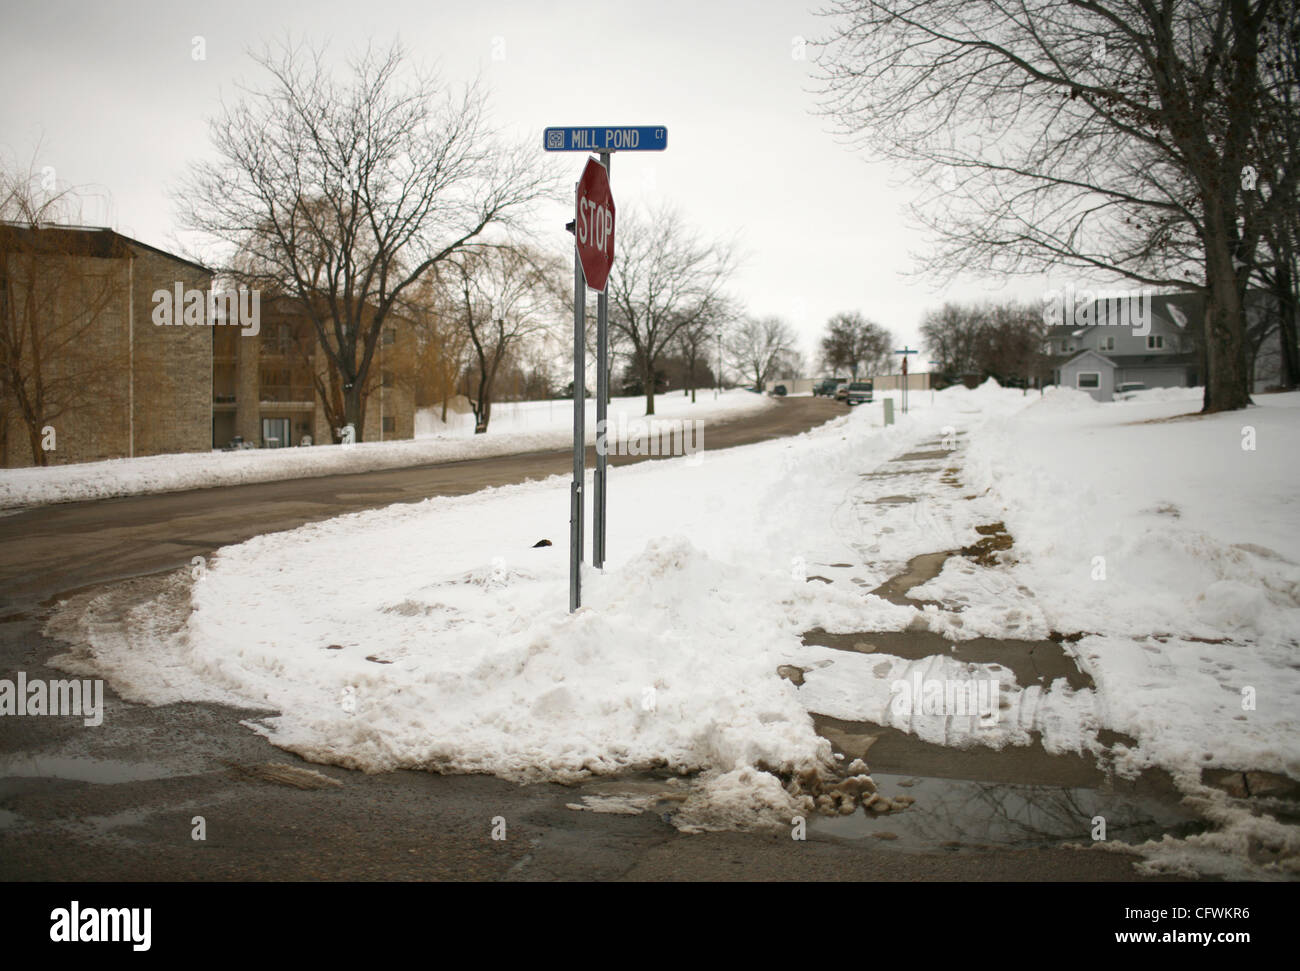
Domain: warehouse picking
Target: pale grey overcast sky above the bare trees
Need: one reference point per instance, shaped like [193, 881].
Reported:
[114, 99]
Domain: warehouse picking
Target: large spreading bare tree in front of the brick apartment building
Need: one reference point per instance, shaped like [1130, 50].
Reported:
[345, 194]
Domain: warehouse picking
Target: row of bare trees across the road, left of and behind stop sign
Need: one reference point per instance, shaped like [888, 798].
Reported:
[383, 198]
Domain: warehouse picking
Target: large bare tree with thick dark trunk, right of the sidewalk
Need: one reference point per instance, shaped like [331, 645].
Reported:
[1094, 135]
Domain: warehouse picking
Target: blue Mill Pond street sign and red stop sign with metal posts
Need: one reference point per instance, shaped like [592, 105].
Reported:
[593, 255]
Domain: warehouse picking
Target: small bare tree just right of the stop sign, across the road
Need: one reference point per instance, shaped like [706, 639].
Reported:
[666, 279]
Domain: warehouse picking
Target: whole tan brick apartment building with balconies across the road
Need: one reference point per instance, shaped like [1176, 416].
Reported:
[85, 302]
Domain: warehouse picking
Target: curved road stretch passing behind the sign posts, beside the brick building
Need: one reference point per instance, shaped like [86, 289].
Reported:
[54, 549]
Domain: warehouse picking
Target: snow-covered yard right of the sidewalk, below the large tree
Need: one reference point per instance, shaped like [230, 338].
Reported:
[1178, 553]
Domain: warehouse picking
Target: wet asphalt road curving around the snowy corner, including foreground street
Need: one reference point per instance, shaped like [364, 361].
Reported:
[119, 803]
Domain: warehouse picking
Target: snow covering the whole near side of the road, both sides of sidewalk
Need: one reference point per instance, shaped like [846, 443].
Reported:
[437, 636]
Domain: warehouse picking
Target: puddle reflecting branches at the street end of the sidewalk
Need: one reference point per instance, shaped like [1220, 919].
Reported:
[954, 814]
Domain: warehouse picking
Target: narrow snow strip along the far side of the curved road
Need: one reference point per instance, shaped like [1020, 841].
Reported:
[525, 427]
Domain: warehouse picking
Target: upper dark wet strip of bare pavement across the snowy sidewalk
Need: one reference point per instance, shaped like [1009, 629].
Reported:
[1032, 662]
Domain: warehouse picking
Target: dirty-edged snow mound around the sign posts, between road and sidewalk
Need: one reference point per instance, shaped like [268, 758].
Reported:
[436, 636]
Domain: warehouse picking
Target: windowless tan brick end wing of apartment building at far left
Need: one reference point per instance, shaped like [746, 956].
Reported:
[77, 336]
